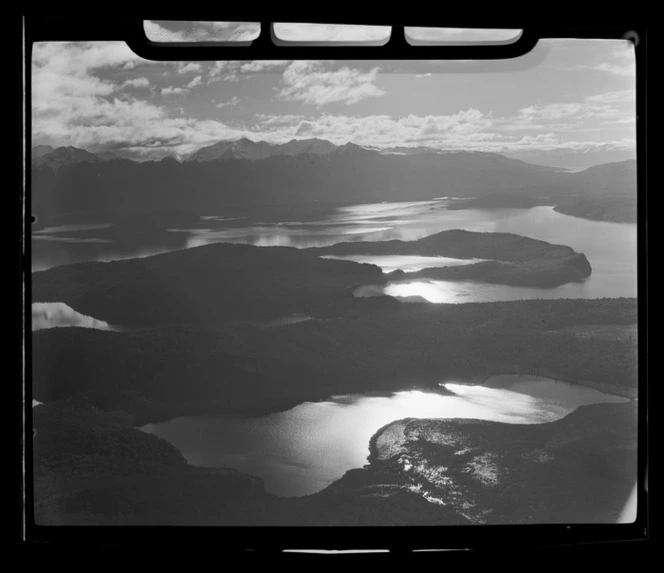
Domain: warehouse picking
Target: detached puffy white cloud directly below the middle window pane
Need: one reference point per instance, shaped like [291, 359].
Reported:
[308, 82]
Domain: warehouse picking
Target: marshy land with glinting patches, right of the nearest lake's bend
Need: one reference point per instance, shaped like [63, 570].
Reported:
[580, 469]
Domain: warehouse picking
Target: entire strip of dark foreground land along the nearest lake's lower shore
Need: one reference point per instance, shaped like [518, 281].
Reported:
[93, 468]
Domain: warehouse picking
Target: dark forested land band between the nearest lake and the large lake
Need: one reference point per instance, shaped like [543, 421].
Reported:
[160, 372]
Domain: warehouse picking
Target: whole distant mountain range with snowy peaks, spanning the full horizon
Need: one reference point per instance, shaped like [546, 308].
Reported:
[249, 177]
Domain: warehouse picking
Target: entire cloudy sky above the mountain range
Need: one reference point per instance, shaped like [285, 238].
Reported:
[565, 94]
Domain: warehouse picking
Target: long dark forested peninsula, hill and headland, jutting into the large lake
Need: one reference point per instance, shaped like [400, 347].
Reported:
[222, 282]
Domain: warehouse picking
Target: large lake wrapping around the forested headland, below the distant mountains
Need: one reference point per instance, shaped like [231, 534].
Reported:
[610, 247]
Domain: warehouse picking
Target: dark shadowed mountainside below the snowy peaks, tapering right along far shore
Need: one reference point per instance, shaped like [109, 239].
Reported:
[347, 175]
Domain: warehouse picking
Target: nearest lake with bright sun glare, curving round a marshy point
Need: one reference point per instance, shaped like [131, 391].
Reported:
[302, 450]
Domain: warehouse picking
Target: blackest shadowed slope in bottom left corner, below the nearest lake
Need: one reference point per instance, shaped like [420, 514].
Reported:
[92, 468]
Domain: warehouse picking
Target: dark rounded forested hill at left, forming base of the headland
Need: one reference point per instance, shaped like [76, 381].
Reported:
[206, 284]
